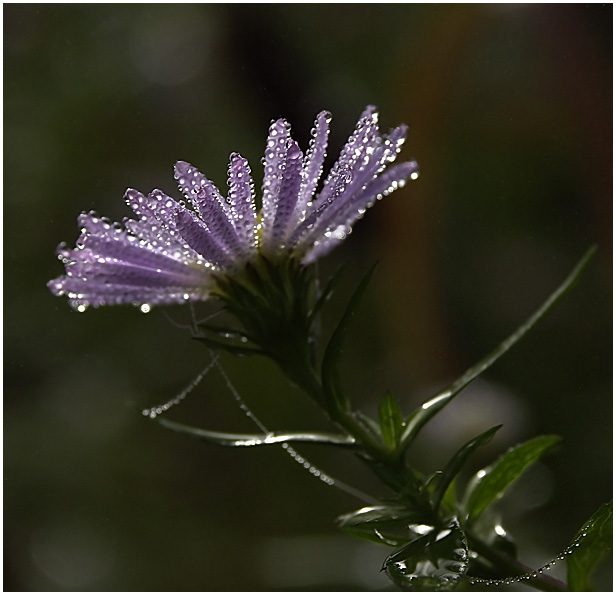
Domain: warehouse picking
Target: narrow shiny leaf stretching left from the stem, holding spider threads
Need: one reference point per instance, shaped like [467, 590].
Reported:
[228, 439]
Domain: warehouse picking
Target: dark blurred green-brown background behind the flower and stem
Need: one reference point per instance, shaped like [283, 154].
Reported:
[509, 110]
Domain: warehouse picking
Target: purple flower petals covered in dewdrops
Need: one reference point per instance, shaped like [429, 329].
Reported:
[168, 253]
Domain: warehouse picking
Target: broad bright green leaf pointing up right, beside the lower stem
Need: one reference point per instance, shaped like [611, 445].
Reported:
[491, 483]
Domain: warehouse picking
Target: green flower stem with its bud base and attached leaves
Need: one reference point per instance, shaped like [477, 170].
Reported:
[277, 305]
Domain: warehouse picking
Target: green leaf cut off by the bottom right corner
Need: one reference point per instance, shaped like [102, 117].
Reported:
[590, 546]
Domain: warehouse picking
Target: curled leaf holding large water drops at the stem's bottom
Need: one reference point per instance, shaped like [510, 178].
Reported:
[437, 561]
